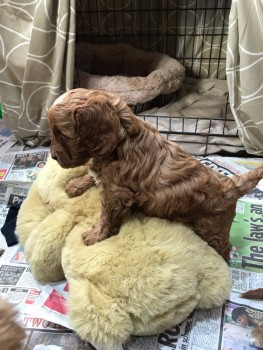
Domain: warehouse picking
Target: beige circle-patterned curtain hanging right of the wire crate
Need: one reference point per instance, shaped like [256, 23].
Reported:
[244, 71]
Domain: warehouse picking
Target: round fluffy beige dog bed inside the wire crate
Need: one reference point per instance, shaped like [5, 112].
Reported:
[143, 79]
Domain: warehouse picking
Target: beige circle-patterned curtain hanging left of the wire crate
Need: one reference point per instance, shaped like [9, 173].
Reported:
[37, 49]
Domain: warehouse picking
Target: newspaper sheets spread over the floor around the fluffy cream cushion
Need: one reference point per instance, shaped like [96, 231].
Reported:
[43, 308]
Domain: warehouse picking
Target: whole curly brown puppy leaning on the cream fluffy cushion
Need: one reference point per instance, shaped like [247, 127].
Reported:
[137, 166]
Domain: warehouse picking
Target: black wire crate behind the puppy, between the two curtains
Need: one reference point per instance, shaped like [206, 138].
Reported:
[192, 31]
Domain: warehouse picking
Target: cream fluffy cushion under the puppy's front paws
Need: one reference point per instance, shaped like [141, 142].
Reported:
[142, 281]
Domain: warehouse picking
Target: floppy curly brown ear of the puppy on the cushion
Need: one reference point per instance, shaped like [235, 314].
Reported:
[98, 126]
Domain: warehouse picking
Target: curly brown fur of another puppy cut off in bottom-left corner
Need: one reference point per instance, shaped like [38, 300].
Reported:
[11, 334]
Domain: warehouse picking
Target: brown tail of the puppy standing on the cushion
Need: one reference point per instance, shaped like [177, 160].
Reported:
[246, 182]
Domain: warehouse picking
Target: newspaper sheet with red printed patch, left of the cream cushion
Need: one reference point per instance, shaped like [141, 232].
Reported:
[19, 287]
